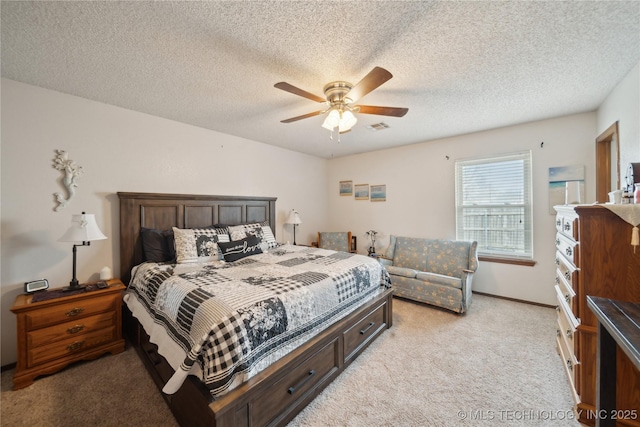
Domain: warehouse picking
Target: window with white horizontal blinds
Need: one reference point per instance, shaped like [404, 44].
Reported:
[493, 205]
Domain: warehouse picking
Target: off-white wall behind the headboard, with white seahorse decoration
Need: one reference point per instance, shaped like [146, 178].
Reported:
[121, 150]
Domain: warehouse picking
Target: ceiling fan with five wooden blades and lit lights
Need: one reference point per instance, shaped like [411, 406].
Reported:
[340, 97]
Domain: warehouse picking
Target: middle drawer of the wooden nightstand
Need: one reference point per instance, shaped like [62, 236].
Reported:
[74, 328]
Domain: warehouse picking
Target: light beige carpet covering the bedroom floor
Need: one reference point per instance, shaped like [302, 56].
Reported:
[495, 365]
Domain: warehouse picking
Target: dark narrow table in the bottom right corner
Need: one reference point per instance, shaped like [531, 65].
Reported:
[618, 326]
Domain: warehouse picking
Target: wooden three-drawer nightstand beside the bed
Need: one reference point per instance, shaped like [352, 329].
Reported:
[56, 332]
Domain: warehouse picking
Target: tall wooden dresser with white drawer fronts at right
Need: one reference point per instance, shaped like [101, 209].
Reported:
[594, 257]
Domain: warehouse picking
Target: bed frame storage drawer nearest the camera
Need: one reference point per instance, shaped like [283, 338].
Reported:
[297, 383]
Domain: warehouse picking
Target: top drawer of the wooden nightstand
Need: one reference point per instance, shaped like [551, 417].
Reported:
[68, 311]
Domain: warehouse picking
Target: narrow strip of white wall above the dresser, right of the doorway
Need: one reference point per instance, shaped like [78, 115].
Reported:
[623, 105]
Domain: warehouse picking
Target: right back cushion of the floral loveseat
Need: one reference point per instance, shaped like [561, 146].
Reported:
[447, 257]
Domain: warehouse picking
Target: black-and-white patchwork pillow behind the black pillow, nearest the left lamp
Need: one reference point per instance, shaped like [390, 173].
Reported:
[198, 244]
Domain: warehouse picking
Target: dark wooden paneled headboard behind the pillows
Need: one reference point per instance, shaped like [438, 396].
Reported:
[163, 211]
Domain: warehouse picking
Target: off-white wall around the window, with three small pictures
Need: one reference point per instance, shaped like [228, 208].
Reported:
[420, 193]
